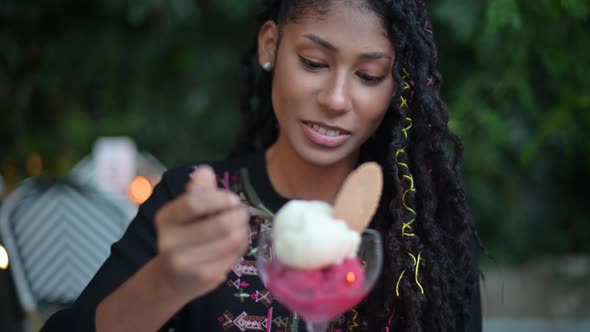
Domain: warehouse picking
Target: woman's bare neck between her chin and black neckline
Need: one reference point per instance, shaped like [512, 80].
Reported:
[294, 177]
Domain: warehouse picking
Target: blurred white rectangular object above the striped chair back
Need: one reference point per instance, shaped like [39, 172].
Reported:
[115, 162]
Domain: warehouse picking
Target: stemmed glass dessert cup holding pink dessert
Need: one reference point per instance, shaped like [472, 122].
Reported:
[321, 295]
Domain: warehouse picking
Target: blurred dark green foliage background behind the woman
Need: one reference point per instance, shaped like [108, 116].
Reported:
[158, 80]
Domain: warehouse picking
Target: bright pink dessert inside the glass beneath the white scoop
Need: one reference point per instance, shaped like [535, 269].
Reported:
[318, 295]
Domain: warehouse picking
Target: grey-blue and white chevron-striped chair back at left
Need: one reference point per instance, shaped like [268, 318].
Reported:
[63, 234]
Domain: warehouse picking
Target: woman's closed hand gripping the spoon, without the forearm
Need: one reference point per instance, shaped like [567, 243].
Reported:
[200, 236]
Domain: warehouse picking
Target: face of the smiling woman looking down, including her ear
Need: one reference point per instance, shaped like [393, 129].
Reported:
[332, 82]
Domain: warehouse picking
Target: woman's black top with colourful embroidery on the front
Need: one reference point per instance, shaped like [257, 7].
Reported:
[240, 304]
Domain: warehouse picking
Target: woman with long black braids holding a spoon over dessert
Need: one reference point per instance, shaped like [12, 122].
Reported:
[347, 81]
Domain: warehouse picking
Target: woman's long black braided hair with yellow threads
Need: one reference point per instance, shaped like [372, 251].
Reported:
[428, 277]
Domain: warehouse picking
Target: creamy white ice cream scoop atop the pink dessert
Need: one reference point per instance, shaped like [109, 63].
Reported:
[307, 236]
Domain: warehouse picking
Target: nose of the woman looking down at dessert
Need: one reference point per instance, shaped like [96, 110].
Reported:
[335, 95]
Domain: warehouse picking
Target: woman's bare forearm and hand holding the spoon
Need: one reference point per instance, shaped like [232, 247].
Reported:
[201, 234]
